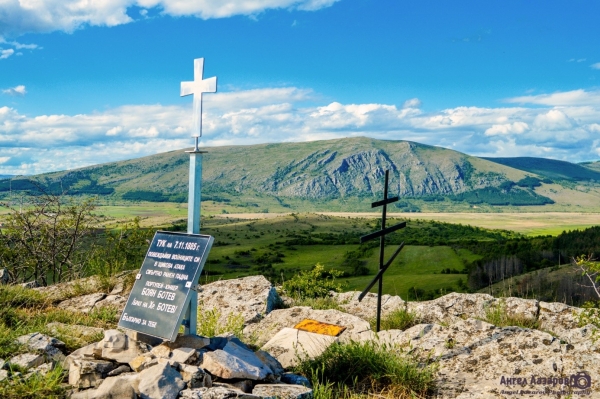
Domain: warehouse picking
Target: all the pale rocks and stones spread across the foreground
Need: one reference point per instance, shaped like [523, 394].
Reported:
[474, 358]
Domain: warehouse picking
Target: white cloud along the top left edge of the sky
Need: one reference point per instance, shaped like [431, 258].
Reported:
[18, 16]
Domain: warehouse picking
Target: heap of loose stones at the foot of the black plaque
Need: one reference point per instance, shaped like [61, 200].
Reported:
[191, 367]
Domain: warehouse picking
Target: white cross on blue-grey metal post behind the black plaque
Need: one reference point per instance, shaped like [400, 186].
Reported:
[196, 87]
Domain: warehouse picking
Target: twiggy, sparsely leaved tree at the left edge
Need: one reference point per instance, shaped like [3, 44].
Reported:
[46, 239]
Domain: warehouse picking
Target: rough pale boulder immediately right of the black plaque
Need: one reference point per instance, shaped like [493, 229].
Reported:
[252, 297]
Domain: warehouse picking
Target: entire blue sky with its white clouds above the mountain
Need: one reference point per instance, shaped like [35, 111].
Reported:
[85, 82]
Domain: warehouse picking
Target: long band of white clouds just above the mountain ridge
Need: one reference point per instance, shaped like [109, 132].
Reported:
[55, 142]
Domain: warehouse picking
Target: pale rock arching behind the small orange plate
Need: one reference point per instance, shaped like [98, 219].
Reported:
[282, 318]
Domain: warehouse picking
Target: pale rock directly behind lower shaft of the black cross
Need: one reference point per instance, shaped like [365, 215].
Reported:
[367, 308]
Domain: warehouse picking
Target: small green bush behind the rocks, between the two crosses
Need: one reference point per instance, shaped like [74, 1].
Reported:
[315, 283]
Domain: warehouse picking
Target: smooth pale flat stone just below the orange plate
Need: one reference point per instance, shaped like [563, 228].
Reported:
[289, 346]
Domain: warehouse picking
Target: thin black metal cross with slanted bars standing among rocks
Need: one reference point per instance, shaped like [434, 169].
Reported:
[381, 234]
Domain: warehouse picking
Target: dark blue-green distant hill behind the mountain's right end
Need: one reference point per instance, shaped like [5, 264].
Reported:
[550, 168]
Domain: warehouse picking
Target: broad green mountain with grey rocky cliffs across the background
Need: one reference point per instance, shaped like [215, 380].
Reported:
[329, 174]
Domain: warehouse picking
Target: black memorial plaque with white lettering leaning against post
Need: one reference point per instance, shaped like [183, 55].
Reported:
[171, 269]
